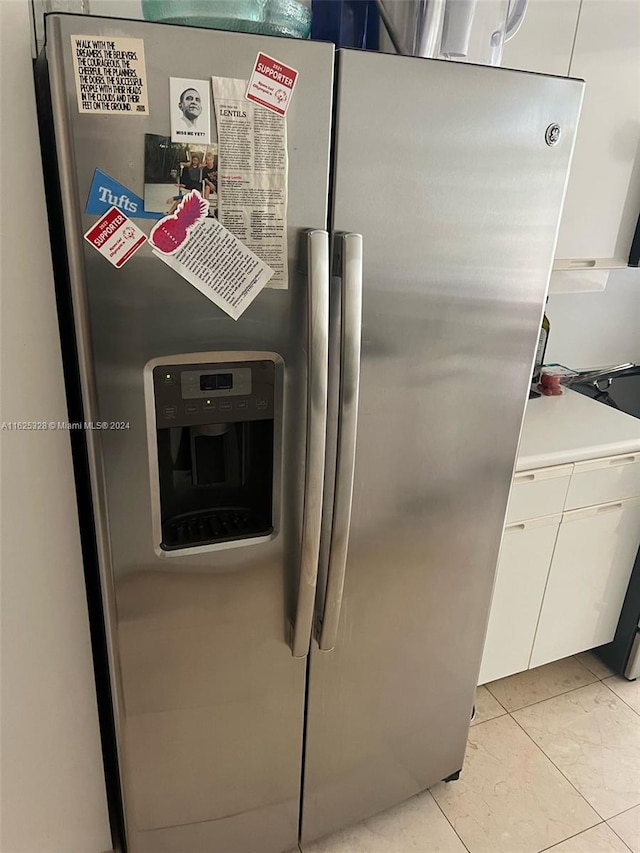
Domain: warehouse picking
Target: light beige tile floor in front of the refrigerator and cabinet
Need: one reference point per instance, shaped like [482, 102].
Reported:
[553, 763]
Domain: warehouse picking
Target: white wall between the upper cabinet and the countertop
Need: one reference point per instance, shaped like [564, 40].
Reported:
[593, 329]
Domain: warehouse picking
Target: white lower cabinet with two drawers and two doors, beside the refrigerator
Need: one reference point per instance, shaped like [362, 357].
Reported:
[565, 563]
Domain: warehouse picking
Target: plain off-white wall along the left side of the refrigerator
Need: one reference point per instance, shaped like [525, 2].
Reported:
[52, 795]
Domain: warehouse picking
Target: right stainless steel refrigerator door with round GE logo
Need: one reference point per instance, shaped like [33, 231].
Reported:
[445, 170]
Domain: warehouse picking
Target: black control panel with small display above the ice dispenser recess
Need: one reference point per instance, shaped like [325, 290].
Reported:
[194, 394]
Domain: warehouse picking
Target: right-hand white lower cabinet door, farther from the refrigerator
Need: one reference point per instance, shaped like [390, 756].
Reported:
[590, 571]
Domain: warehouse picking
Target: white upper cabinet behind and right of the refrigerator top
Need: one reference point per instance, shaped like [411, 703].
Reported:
[598, 41]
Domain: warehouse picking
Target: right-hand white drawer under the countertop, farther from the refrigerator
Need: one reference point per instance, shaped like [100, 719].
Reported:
[612, 478]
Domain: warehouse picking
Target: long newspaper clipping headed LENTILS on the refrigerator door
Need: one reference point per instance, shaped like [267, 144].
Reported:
[252, 175]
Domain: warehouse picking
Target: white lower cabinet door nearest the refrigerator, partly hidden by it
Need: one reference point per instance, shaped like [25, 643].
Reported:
[522, 572]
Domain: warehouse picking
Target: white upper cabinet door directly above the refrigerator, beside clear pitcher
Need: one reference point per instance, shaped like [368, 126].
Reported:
[544, 41]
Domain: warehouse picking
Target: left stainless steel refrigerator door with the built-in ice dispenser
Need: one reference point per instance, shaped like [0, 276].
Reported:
[209, 697]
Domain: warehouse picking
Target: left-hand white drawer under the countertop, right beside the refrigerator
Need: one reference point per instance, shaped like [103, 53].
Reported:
[538, 493]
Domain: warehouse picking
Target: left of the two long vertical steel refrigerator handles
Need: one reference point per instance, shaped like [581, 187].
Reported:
[318, 366]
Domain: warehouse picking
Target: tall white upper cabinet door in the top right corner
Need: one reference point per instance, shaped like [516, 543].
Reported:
[603, 194]
